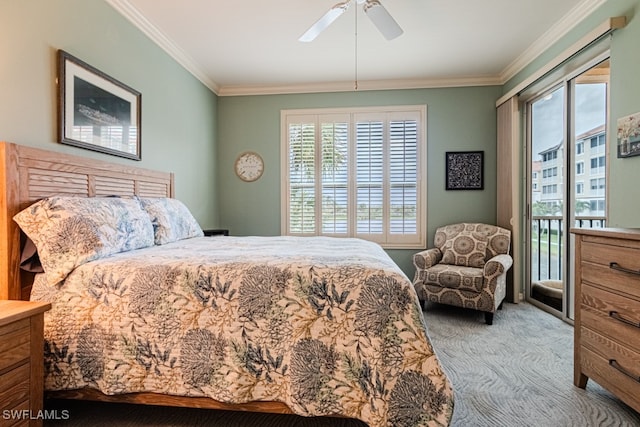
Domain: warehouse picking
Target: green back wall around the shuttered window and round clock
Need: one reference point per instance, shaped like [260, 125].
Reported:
[458, 119]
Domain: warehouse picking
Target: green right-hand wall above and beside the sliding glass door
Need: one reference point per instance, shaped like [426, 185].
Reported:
[624, 174]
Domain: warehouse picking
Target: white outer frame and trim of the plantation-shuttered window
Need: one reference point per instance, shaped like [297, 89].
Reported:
[421, 220]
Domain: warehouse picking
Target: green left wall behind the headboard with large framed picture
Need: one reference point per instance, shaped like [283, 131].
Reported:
[178, 112]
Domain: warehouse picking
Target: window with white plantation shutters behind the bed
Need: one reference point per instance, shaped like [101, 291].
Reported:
[356, 173]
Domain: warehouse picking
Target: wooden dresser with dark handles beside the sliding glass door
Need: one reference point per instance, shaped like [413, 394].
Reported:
[607, 317]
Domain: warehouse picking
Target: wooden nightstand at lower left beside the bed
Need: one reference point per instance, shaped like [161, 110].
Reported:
[21, 362]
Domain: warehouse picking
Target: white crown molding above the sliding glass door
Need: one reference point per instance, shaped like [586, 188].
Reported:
[548, 39]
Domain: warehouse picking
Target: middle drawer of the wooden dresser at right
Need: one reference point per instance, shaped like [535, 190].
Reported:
[612, 315]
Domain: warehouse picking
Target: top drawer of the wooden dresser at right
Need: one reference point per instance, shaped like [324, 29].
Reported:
[603, 265]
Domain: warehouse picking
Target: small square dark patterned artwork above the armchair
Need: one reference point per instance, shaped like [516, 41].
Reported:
[465, 170]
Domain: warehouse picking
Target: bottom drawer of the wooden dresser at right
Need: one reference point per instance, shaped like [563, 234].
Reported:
[613, 366]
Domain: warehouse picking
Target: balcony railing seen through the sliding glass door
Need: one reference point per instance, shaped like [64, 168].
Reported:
[547, 242]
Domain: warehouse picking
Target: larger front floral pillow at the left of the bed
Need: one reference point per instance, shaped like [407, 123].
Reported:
[71, 231]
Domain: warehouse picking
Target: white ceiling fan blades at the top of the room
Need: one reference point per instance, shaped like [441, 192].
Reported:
[374, 10]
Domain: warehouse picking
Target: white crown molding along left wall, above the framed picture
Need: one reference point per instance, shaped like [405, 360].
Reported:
[158, 37]
